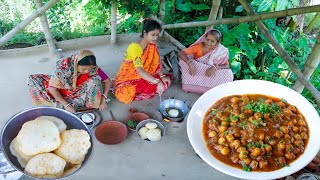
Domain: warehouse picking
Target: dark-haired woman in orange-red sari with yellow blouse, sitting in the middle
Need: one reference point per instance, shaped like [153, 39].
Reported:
[140, 76]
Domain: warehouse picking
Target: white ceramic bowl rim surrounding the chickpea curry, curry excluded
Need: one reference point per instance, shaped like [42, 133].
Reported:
[194, 125]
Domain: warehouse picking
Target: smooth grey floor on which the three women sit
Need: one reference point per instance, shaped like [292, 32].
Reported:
[170, 158]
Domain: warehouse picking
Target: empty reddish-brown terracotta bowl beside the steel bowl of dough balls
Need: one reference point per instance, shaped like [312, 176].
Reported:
[111, 132]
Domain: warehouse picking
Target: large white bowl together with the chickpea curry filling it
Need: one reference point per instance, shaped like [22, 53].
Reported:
[254, 129]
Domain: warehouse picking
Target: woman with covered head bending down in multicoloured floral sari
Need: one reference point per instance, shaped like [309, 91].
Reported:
[76, 84]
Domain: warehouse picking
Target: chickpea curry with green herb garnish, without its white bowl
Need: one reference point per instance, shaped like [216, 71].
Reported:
[255, 132]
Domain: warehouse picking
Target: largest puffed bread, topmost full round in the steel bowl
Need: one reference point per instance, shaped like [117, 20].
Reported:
[38, 136]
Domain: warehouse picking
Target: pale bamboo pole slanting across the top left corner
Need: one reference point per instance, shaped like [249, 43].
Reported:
[27, 21]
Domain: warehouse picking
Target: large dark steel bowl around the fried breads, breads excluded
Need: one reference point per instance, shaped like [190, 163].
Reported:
[14, 124]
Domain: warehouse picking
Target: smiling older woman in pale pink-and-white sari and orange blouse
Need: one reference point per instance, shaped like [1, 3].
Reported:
[204, 64]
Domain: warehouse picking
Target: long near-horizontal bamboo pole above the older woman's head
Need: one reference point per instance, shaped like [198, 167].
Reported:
[289, 12]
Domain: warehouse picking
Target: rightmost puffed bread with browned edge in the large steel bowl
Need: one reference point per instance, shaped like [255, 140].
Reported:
[74, 145]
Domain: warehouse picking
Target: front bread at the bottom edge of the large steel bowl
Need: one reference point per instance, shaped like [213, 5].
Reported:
[45, 165]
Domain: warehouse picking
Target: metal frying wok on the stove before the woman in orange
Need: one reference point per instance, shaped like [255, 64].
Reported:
[174, 104]
